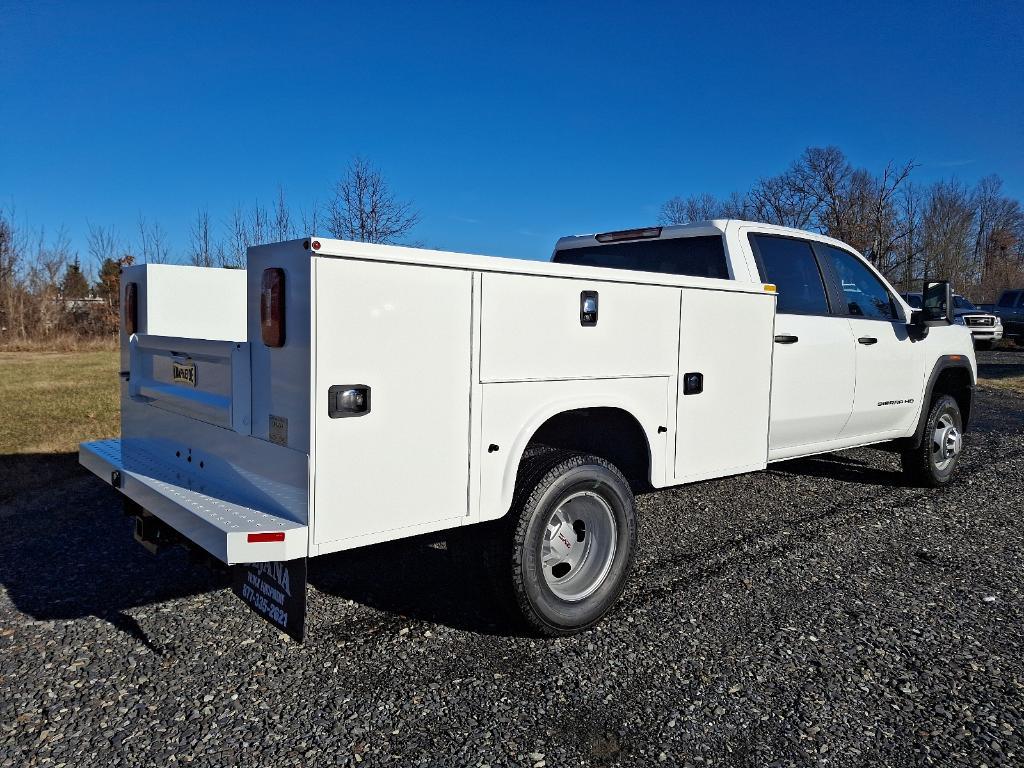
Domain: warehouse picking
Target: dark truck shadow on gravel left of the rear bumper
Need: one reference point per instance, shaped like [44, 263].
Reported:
[68, 551]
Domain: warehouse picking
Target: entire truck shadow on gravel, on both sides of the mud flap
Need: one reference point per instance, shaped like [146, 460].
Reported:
[68, 553]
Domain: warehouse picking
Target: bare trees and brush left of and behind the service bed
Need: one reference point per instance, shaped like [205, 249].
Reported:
[48, 289]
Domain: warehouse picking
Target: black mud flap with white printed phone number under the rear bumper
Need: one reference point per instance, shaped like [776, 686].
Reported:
[277, 591]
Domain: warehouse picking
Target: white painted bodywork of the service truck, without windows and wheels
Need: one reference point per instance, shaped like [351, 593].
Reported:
[453, 365]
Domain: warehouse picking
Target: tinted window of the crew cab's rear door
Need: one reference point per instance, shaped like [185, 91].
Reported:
[792, 267]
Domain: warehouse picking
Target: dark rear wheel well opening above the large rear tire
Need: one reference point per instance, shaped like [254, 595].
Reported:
[609, 433]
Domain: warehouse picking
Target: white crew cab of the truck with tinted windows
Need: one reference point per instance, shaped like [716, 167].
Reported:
[850, 366]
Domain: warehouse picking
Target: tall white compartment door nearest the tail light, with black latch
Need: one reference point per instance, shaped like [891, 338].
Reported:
[404, 332]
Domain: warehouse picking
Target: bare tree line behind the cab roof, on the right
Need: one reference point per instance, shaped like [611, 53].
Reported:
[972, 236]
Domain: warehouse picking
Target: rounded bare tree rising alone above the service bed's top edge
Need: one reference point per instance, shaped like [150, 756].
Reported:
[365, 209]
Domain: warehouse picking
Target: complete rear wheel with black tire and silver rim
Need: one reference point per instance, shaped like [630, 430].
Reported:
[574, 535]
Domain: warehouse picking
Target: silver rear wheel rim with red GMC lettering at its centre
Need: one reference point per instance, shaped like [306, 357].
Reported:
[579, 546]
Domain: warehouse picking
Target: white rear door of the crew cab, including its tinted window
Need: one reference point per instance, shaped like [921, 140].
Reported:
[814, 373]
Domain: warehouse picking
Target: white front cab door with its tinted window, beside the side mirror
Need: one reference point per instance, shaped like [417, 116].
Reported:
[890, 375]
